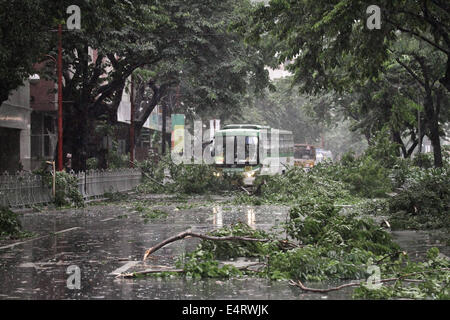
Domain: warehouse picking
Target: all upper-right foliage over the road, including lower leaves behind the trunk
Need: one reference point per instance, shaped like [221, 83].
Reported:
[381, 77]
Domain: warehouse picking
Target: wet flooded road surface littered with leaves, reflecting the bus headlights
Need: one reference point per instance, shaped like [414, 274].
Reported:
[107, 239]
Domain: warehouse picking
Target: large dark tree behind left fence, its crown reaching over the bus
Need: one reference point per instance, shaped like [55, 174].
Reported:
[177, 43]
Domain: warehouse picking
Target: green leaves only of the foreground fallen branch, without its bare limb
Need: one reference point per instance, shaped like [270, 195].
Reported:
[338, 249]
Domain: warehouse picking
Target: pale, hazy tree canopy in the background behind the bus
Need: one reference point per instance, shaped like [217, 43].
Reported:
[285, 108]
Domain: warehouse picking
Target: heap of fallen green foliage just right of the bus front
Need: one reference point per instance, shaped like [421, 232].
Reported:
[335, 182]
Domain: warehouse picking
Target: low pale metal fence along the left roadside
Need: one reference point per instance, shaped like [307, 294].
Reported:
[23, 189]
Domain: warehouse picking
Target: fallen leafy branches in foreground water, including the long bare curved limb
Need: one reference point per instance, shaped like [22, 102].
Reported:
[324, 244]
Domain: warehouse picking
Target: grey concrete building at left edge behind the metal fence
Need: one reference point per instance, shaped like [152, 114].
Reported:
[28, 126]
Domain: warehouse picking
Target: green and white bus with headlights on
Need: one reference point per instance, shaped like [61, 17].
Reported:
[252, 150]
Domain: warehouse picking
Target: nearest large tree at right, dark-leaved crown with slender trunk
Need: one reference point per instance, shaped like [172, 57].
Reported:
[331, 48]
